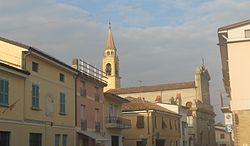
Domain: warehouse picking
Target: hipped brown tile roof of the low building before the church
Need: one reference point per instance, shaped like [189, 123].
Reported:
[138, 104]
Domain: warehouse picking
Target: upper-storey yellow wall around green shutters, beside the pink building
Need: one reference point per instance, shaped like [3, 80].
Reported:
[48, 80]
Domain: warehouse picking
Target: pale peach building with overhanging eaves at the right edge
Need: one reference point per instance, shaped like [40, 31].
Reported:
[234, 43]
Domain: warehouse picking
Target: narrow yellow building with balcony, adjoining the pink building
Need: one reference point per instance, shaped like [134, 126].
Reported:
[114, 122]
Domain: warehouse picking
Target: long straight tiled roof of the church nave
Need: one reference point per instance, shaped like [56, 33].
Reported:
[159, 87]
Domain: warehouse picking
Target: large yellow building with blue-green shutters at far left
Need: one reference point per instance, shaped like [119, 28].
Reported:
[40, 106]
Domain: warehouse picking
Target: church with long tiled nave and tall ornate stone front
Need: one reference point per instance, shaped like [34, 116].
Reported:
[194, 95]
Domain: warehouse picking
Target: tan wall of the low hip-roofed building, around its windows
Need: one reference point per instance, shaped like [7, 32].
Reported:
[131, 136]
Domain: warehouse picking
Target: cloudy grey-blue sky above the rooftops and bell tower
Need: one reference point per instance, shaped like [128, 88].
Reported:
[157, 41]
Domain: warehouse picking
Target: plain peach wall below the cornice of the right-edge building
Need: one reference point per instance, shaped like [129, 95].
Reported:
[239, 61]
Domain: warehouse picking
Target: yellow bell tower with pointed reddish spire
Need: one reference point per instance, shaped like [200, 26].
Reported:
[110, 63]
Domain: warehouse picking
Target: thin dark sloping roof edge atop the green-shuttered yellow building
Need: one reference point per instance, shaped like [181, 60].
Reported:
[37, 51]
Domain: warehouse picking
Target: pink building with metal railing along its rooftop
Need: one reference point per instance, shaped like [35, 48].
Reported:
[89, 104]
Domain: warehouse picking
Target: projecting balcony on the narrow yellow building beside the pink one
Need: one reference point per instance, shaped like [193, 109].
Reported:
[118, 122]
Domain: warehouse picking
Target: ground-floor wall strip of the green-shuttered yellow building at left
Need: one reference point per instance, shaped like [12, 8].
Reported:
[19, 133]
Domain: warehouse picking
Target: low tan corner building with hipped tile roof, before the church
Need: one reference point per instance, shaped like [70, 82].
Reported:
[152, 125]
